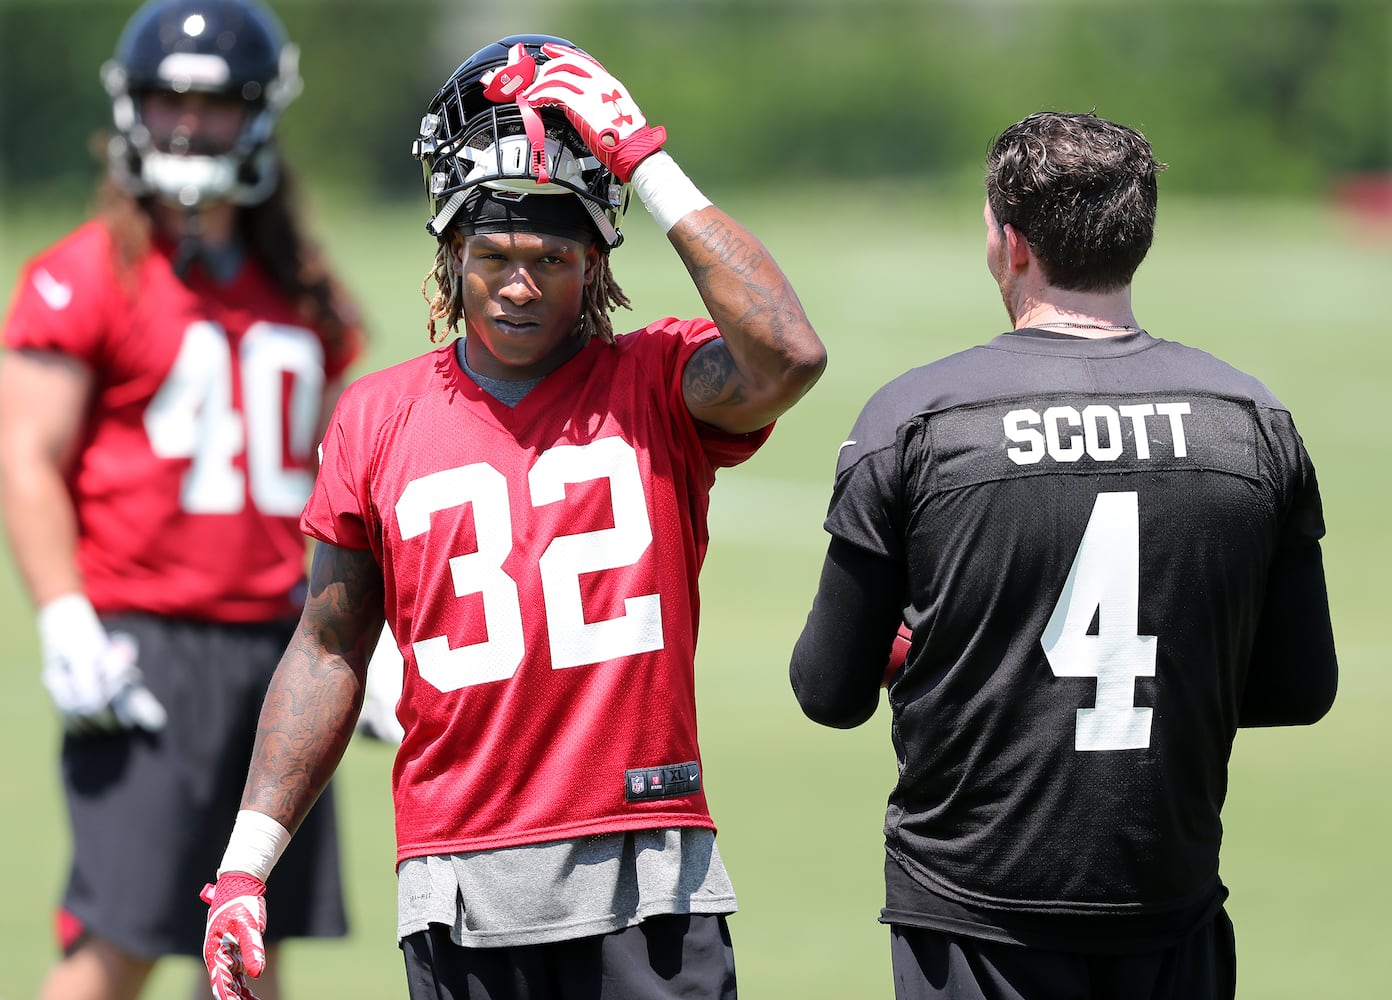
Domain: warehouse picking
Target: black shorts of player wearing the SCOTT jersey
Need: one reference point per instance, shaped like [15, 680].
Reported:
[936, 966]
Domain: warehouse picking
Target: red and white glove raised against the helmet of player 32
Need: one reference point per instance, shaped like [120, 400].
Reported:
[598, 107]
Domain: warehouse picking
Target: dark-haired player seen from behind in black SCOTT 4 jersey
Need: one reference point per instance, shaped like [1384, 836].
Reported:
[1105, 554]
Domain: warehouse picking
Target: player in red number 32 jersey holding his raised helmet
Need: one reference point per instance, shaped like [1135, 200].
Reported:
[527, 509]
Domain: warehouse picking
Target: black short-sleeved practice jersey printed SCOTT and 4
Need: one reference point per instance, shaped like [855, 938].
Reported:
[1088, 530]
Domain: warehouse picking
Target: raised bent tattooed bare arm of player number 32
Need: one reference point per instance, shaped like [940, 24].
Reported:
[769, 354]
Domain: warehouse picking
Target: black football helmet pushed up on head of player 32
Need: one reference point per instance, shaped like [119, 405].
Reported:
[468, 140]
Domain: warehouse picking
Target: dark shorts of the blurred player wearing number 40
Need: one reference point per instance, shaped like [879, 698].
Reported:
[151, 814]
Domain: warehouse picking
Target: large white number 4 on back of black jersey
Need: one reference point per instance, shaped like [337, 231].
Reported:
[1106, 580]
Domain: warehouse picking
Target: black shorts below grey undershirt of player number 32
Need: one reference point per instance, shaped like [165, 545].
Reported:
[662, 959]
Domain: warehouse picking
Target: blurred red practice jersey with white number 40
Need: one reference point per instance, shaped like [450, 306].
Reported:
[200, 445]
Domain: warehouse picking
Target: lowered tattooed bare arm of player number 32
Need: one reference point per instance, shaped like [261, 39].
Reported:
[315, 697]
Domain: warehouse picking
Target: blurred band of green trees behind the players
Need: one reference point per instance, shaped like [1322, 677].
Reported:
[1267, 98]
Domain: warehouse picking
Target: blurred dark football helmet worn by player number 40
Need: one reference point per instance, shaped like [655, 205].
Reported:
[230, 48]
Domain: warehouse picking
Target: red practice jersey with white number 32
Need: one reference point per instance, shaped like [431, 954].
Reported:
[541, 570]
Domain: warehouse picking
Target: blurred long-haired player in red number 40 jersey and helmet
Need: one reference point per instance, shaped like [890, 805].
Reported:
[171, 367]
